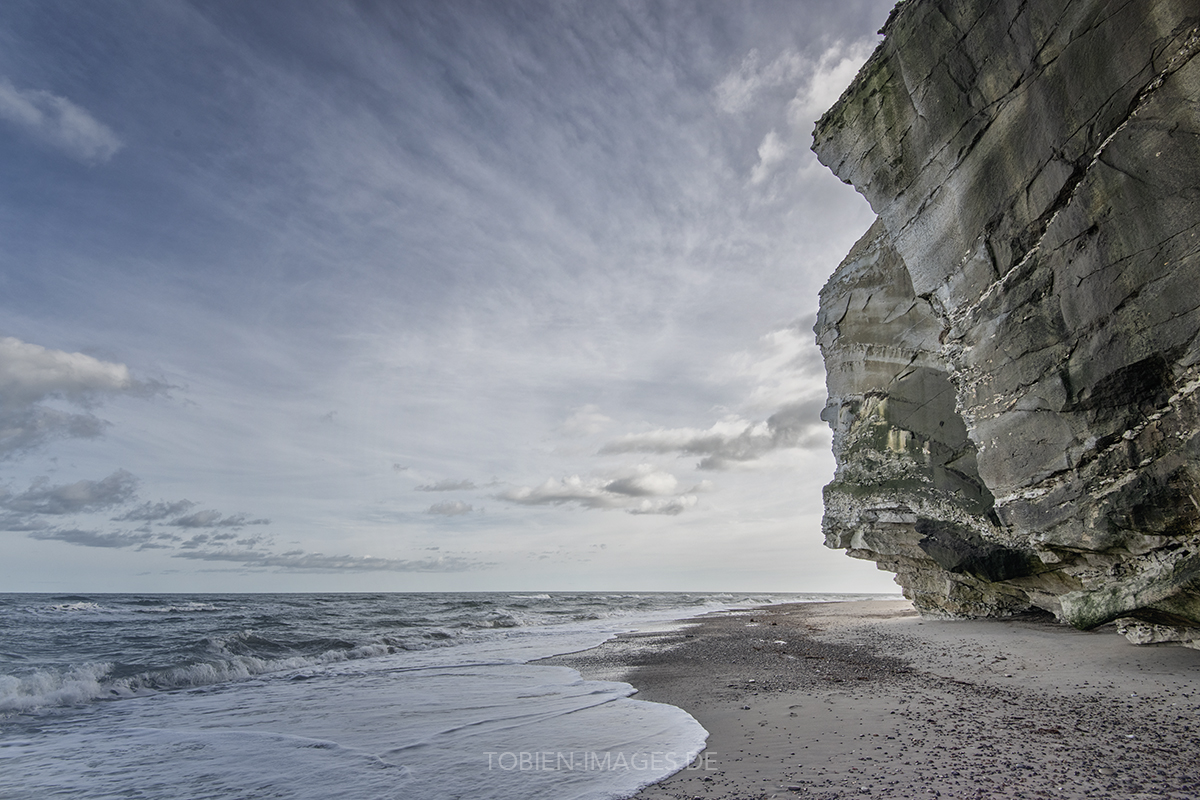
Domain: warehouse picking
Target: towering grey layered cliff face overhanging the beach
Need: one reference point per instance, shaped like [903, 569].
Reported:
[1012, 351]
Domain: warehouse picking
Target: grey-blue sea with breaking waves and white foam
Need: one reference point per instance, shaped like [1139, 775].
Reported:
[347, 696]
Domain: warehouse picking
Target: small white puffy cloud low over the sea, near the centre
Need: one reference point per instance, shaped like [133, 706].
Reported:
[639, 491]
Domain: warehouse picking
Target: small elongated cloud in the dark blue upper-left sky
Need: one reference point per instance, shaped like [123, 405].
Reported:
[58, 123]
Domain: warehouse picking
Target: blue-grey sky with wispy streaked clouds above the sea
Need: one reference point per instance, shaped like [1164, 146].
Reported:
[419, 296]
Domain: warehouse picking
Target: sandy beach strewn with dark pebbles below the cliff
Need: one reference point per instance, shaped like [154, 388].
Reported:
[868, 700]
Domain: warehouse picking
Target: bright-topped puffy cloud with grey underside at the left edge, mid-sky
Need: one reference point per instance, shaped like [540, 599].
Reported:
[32, 375]
